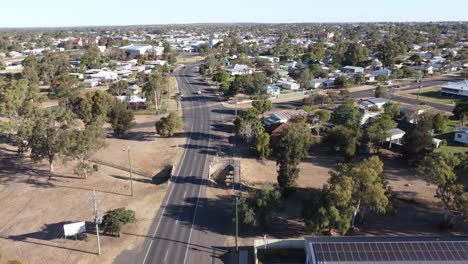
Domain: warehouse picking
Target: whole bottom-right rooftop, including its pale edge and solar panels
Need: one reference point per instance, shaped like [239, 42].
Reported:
[401, 250]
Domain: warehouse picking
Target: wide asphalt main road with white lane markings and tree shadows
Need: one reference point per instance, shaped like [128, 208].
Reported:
[188, 228]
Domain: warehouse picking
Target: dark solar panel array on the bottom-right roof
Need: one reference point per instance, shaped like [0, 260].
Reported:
[391, 251]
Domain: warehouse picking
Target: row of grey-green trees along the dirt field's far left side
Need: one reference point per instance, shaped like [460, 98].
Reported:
[66, 133]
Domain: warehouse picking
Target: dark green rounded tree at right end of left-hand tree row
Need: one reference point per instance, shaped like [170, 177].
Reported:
[121, 118]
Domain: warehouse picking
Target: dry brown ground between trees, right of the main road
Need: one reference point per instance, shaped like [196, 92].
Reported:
[418, 211]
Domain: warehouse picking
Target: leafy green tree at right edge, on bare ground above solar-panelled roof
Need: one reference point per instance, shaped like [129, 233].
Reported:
[440, 169]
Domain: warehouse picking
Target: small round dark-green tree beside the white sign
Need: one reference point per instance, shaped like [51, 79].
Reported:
[114, 220]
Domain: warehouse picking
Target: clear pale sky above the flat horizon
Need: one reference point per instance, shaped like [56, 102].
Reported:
[64, 13]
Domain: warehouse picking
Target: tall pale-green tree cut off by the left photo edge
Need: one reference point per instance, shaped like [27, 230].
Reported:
[19, 101]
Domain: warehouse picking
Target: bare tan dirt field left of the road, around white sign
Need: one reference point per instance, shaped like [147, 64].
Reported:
[36, 204]
